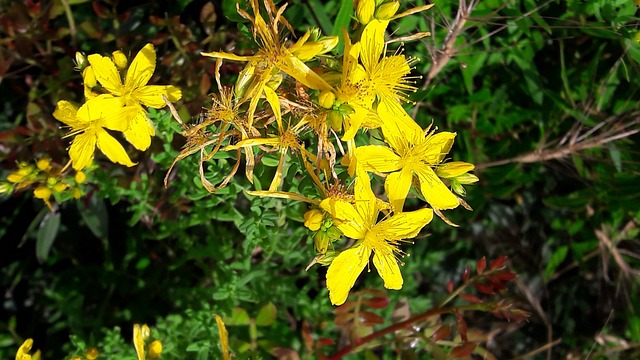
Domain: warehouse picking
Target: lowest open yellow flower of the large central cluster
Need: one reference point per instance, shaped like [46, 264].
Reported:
[359, 221]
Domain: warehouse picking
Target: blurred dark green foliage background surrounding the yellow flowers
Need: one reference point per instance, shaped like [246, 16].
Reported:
[543, 96]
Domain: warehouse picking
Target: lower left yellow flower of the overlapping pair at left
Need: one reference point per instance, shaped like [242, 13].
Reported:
[89, 123]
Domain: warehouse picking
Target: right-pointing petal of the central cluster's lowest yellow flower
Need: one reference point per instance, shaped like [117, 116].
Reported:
[405, 225]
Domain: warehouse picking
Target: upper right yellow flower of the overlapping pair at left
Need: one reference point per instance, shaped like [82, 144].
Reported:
[134, 91]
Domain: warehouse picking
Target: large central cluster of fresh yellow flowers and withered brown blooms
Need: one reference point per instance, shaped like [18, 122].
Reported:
[301, 102]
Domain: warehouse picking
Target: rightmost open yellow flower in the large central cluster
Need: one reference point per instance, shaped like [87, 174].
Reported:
[407, 157]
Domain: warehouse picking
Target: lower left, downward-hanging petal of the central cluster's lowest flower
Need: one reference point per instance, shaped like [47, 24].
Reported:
[343, 272]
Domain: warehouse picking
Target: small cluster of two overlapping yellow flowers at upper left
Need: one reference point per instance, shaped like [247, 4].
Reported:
[115, 98]
